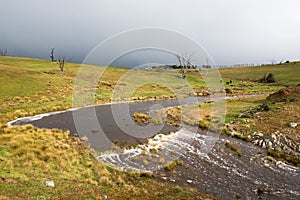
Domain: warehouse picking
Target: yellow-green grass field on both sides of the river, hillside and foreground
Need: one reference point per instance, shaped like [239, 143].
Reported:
[31, 156]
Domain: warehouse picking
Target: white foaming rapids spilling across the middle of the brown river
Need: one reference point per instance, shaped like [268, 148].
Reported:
[157, 153]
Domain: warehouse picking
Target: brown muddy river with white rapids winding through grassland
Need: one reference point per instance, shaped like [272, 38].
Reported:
[203, 161]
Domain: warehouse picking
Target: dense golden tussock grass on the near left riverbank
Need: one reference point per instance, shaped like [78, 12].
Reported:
[48, 150]
